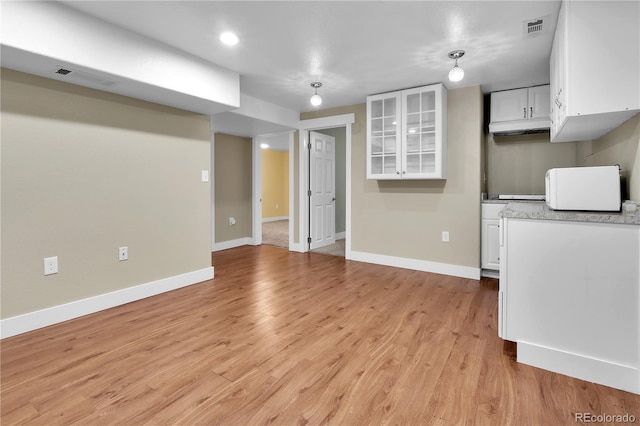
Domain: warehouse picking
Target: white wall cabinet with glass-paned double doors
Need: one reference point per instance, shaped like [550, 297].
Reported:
[406, 134]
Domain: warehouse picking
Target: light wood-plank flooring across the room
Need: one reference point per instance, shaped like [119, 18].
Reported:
[288, 338]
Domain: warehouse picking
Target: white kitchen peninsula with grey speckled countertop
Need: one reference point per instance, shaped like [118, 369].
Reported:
[570, 291]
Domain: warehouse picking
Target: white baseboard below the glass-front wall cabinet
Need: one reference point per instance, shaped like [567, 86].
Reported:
[418, 265]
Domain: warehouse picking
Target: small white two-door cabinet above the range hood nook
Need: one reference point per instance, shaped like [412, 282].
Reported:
[520, 110]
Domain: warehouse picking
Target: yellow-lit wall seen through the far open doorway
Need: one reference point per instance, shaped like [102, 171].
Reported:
[275, 183]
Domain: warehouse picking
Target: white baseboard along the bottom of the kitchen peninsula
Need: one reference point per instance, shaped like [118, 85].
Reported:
[581, 367]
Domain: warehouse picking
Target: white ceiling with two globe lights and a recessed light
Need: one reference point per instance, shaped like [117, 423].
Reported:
[354, 48]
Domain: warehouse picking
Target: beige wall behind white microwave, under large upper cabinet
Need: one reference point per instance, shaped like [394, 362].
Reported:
[619, 146]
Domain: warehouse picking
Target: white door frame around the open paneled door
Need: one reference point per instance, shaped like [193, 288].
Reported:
[305, 126]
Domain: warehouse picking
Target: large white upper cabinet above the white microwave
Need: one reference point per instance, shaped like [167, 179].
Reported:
[594, 68]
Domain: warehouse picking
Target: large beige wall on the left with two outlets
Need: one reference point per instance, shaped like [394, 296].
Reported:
[85, 172]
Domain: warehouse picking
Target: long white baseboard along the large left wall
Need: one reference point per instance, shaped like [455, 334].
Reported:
[56, 314]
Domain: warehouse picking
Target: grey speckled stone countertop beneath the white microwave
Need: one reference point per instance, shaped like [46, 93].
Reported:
[540, 211]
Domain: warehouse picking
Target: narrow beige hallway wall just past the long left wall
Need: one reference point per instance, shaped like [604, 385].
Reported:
[233, 173]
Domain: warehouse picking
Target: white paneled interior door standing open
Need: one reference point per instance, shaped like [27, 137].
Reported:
[322, 184]
